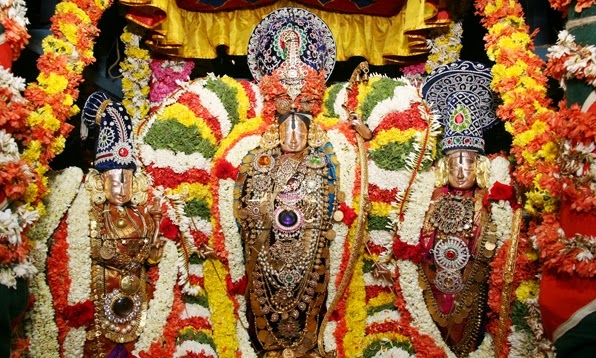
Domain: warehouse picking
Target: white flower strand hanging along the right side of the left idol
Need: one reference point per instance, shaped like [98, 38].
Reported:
[163, 299]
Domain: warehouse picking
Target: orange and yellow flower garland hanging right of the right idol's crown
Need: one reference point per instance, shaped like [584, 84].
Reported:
[518, 80]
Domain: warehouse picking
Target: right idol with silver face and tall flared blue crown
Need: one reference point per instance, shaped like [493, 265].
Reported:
[458, 236]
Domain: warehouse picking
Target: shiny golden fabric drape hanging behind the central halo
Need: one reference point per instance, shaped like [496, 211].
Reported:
[188, 34]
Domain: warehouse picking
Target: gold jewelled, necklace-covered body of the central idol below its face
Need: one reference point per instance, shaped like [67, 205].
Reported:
[288, 217]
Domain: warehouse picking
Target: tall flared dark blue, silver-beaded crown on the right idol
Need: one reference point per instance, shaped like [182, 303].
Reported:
[460, 91]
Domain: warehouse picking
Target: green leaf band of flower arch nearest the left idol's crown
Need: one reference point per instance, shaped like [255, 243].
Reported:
[175, 136]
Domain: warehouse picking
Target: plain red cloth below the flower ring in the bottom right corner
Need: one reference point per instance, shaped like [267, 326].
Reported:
[560, 297]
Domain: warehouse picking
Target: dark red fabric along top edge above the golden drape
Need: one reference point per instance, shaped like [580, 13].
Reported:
[366, 7]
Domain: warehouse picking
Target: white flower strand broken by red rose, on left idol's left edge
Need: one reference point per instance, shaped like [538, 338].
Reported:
[79, 266]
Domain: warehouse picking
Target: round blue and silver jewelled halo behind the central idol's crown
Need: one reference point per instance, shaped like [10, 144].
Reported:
[317, 47]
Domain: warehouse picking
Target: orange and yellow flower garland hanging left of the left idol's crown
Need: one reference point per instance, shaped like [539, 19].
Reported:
[52, 99]
